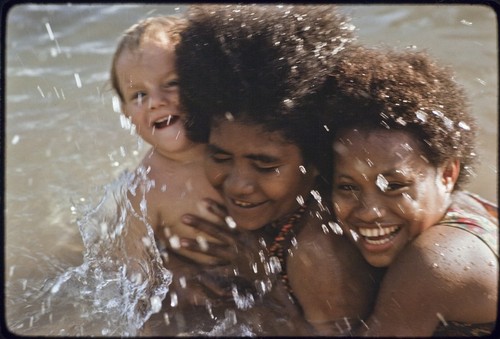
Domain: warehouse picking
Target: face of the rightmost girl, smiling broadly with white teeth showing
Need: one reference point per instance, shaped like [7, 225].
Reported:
[386, 192]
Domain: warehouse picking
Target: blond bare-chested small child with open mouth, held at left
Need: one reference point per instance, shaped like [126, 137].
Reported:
[170, 180]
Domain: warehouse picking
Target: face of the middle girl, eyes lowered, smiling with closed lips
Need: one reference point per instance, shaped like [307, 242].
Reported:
[258, 173]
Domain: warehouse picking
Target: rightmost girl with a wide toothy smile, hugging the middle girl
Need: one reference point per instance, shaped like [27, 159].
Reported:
[403, 148]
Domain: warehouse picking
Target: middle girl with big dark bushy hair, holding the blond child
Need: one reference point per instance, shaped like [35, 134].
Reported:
[250, 75]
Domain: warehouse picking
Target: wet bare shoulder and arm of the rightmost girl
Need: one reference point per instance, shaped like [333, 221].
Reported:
[445, 274]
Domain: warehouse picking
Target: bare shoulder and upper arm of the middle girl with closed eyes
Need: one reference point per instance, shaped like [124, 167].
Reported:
[331, 280]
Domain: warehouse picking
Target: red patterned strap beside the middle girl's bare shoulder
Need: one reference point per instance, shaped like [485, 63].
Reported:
[283, 239]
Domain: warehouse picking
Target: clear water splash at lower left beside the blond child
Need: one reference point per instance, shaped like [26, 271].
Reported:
[112, 292]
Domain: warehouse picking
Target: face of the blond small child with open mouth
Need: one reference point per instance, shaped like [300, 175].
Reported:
[149, 83]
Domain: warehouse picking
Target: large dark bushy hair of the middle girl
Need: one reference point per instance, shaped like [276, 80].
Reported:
[263, 64]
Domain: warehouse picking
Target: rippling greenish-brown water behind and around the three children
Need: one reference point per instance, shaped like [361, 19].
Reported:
[66, 150]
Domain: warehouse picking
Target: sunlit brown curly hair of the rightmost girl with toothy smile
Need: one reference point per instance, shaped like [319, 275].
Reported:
[404, 90]
